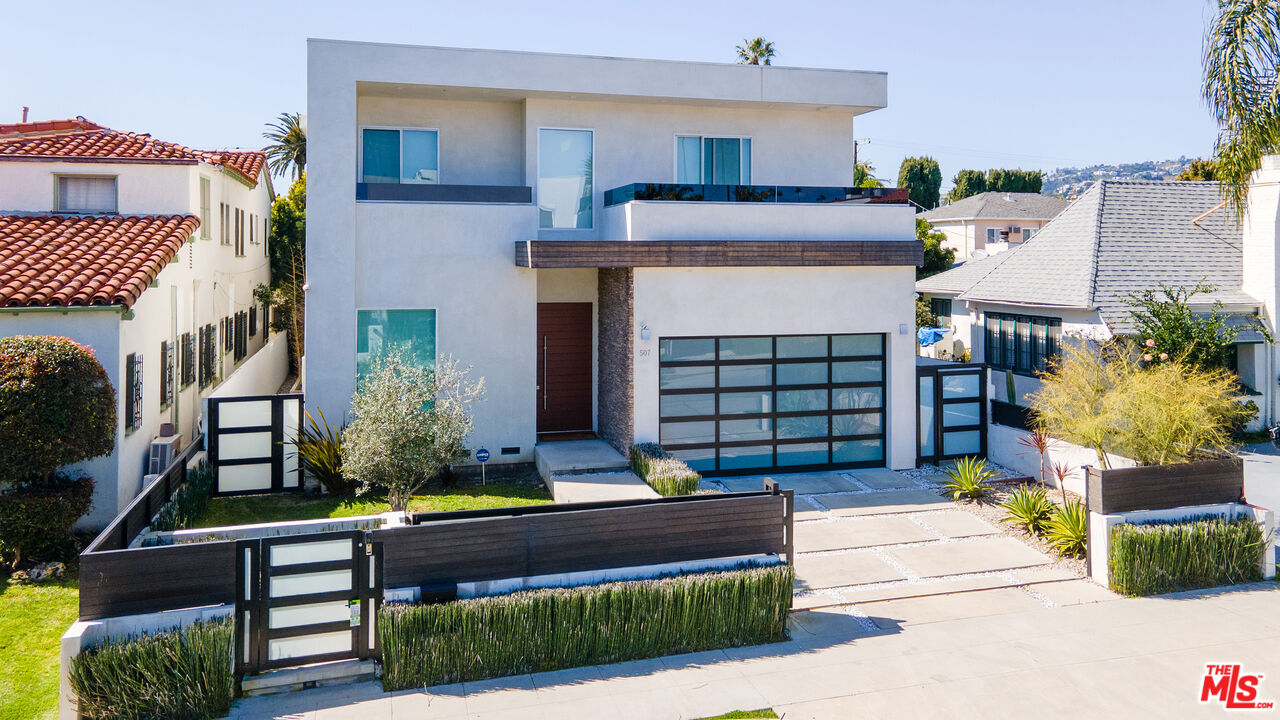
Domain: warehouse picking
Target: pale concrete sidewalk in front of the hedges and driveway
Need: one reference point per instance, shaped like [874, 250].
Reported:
[911, 659]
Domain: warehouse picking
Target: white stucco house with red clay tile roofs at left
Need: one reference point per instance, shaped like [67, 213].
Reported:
[144, 250]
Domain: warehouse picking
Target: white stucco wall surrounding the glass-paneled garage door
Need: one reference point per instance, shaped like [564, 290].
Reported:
[728, 302]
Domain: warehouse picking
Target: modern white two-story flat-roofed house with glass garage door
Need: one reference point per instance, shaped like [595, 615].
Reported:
[651, 252]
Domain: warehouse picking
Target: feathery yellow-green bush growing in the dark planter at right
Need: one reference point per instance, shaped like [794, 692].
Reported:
[1109, 400]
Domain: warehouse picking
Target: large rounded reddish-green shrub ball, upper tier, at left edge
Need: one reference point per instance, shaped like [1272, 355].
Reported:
[57, 407]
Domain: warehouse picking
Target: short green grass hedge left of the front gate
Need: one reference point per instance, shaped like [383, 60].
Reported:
[180, 675]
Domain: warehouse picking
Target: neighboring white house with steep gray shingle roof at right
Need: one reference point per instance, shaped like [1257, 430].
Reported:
[1013, 311]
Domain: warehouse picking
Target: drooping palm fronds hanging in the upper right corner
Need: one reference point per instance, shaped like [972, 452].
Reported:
[1242, 53]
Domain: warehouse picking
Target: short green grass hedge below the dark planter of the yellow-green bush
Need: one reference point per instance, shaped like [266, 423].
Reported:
[1160, 558]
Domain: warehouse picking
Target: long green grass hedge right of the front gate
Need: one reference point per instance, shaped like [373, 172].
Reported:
[559, 628]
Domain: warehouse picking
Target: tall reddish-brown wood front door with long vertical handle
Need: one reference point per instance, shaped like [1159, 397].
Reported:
[564, 367]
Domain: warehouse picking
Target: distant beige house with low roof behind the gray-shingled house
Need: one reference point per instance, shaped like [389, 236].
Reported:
[993, 222]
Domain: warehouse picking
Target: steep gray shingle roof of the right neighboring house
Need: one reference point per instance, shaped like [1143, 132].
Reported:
[1121, 236]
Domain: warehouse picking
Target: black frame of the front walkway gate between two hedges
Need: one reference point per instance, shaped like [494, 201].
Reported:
[254, 603]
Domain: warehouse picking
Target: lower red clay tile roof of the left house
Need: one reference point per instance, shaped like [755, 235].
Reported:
[67, 261]
